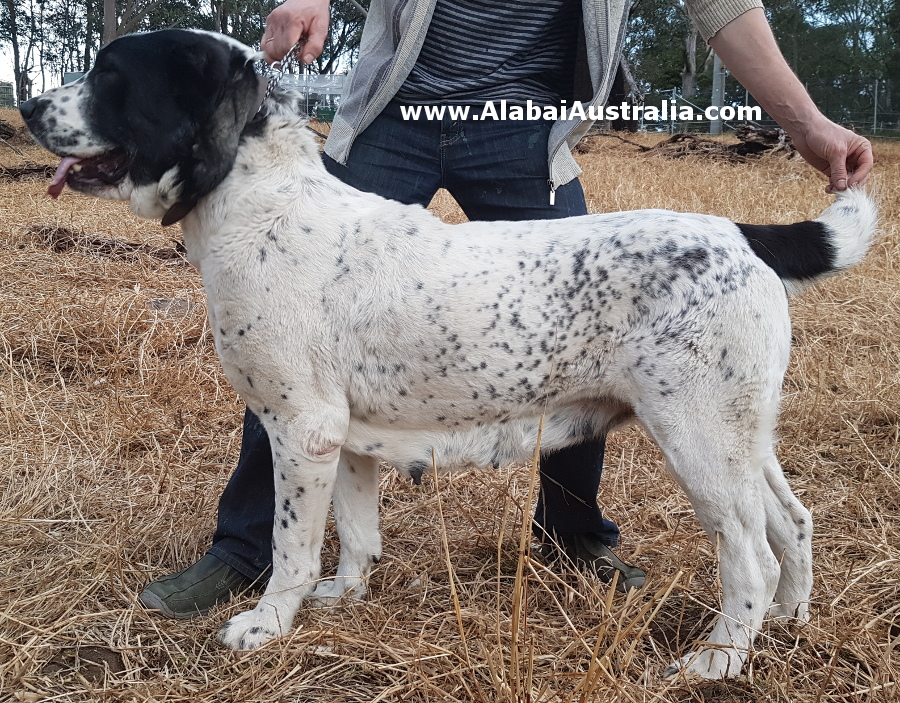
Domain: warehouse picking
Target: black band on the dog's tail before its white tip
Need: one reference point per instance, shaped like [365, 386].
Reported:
[799, 251]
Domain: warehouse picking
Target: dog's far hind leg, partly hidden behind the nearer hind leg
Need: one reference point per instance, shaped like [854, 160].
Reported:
[789, 530]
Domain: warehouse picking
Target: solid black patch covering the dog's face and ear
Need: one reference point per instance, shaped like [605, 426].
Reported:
[175, 101]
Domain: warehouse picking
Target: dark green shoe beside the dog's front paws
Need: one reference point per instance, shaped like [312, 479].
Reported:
[192, 592]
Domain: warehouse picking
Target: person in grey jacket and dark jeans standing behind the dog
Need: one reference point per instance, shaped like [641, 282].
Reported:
[468, 52]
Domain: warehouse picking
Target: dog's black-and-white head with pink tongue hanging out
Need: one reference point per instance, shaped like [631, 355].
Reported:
[156, 121]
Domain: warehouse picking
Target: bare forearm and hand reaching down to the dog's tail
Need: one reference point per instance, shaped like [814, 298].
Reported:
[748, 48]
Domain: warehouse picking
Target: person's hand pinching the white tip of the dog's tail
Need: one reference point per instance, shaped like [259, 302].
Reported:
[845, 157]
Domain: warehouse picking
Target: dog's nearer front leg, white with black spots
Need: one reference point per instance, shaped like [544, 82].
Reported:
[305, 471]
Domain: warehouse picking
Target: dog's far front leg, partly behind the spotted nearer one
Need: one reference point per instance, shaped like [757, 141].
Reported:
[356, 515]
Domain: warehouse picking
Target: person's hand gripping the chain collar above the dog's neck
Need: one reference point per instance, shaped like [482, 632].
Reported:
[295, 20]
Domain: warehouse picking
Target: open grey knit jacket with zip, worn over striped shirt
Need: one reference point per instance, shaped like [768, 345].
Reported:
[394, 33]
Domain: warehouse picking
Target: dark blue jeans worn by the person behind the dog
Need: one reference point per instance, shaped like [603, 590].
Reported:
[496, 170]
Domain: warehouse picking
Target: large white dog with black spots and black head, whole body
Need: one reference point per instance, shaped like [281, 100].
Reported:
[359, 329]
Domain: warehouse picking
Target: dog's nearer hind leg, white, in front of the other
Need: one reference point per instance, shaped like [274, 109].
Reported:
[713, 460]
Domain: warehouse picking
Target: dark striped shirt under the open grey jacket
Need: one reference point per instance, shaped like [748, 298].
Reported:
[479, 50]
